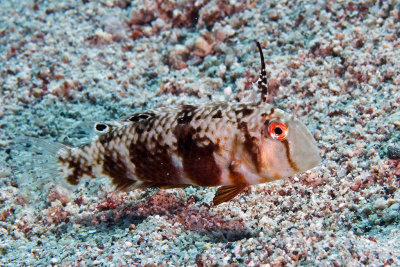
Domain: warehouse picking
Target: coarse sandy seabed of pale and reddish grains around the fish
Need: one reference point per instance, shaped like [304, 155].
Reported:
[333, 64]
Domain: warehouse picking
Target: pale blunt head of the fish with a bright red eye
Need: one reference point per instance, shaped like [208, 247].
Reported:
[285, 147]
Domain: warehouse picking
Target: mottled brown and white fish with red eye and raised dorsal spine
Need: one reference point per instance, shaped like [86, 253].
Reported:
[230, 145]
